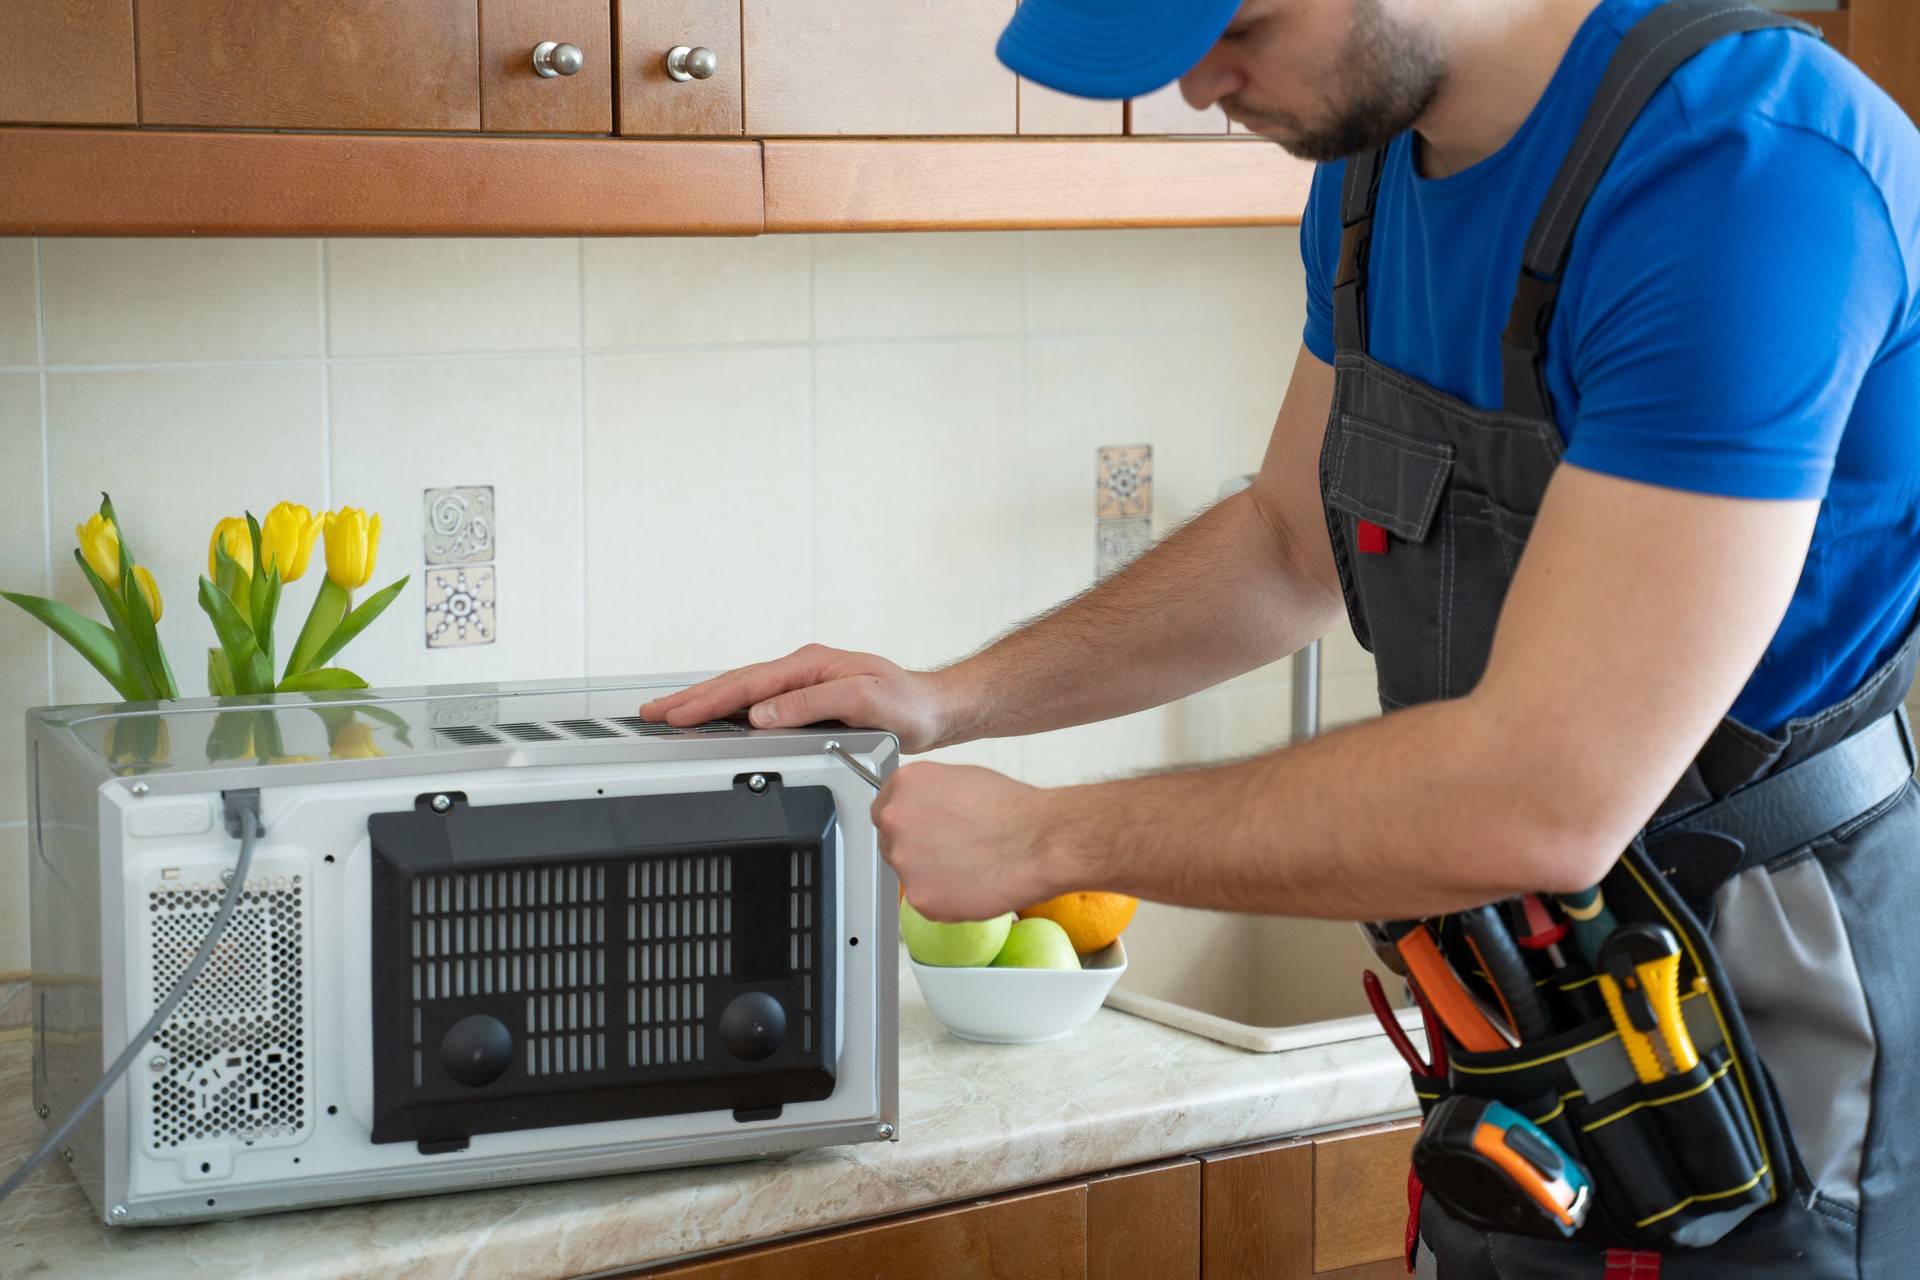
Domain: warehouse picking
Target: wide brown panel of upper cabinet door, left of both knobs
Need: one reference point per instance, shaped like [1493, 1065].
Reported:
[310, 64]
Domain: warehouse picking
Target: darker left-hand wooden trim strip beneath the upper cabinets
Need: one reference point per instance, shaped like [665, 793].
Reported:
[122, 183]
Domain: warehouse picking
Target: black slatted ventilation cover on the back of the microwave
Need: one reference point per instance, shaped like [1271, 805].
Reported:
[598, 976]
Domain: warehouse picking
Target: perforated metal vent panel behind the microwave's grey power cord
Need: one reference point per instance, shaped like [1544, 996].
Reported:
[235, 1051]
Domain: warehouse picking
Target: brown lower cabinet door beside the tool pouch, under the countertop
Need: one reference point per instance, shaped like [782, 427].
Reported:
[1332, 1208]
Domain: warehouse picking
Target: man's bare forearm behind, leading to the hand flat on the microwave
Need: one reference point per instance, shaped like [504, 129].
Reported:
[1222, 596]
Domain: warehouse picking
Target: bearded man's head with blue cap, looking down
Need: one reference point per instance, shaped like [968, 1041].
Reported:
[1322, 78]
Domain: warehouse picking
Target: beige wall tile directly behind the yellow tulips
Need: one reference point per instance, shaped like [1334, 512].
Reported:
[178, 450]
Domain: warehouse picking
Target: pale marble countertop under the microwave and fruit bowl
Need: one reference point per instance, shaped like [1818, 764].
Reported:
[974, 1120]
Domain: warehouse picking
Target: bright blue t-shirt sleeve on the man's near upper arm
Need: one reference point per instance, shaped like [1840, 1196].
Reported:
[1723, 356]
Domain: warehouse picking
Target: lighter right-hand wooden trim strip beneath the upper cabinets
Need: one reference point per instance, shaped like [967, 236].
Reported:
[965, 185]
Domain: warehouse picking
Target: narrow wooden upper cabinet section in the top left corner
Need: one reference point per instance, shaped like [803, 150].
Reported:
[66, 62]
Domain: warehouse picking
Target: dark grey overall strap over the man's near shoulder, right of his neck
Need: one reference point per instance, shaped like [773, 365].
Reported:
[1658, 45]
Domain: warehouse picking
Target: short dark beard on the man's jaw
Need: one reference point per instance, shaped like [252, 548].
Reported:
[1385, 78]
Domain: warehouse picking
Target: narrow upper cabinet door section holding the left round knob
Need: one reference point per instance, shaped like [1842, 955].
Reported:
[516, 97]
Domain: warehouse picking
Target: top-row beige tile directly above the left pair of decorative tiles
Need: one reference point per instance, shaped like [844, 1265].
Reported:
[452, 296]
